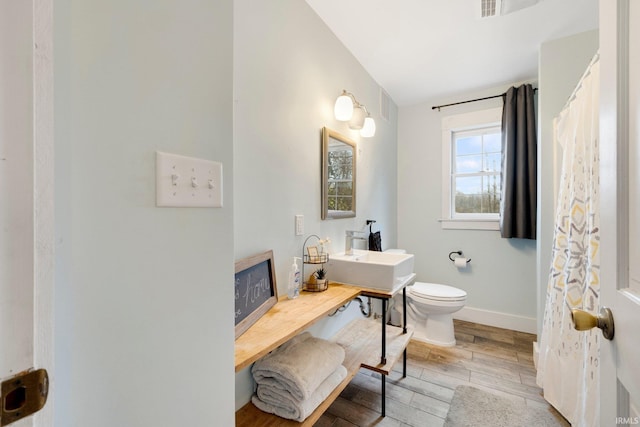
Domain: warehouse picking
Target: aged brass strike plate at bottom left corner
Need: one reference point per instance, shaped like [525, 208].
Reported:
[23, 395]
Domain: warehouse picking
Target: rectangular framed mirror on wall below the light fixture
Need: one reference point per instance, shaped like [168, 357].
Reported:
[338, 175]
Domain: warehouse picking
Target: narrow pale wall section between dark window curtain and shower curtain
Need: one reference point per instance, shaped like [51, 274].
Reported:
[561, 64]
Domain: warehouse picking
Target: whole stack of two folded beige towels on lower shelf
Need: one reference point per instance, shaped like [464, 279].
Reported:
[297, 376]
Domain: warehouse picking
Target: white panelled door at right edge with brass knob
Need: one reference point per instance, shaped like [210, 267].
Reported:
[620, 208]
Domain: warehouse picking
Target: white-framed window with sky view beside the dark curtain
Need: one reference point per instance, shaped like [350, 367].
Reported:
[472, 161]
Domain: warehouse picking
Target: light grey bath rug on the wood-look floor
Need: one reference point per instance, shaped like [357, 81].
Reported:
[472, 407]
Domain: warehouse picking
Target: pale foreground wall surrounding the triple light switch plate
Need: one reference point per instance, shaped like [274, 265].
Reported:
[144, 331]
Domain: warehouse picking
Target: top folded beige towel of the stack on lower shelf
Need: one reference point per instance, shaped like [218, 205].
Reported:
[300, 365]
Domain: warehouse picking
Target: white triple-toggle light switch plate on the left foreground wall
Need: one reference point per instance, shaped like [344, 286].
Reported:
[187, 182]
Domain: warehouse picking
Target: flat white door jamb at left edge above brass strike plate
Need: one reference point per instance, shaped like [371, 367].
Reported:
[16, 190]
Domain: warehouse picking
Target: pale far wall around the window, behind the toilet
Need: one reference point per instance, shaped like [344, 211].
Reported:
[501, 279]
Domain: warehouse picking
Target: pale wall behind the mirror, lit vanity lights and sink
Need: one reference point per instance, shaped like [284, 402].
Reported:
[288, 70]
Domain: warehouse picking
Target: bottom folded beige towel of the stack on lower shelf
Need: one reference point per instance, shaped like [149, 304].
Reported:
[281, 403]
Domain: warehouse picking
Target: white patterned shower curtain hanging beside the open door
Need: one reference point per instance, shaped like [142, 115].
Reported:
[568, 359]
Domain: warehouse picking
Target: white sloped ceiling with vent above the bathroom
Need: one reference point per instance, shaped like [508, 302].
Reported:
[420, 50]
